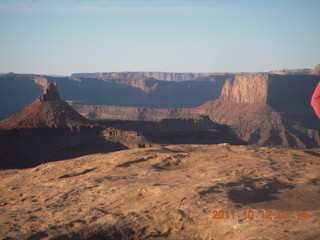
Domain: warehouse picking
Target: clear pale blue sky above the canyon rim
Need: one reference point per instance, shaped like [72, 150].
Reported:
[66, 36]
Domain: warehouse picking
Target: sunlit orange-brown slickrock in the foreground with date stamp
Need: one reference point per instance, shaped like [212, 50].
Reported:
[166, 192]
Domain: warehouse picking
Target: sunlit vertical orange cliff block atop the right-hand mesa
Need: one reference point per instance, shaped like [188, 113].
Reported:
[246, 88]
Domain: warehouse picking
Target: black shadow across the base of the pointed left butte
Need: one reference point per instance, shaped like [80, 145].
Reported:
[25, 148]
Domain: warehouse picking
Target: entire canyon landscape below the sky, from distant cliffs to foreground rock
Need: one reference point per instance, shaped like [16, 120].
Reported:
[188, 172]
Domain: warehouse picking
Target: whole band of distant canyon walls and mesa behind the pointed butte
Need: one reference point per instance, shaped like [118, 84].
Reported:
[270, 109]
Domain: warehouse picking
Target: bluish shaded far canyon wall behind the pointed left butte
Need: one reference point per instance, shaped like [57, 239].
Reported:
[117, 90]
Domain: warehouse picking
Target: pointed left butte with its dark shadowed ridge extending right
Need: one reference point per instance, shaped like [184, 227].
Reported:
[50, 130]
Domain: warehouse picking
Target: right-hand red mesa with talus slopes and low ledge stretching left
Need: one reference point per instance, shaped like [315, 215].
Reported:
[264, 109]
